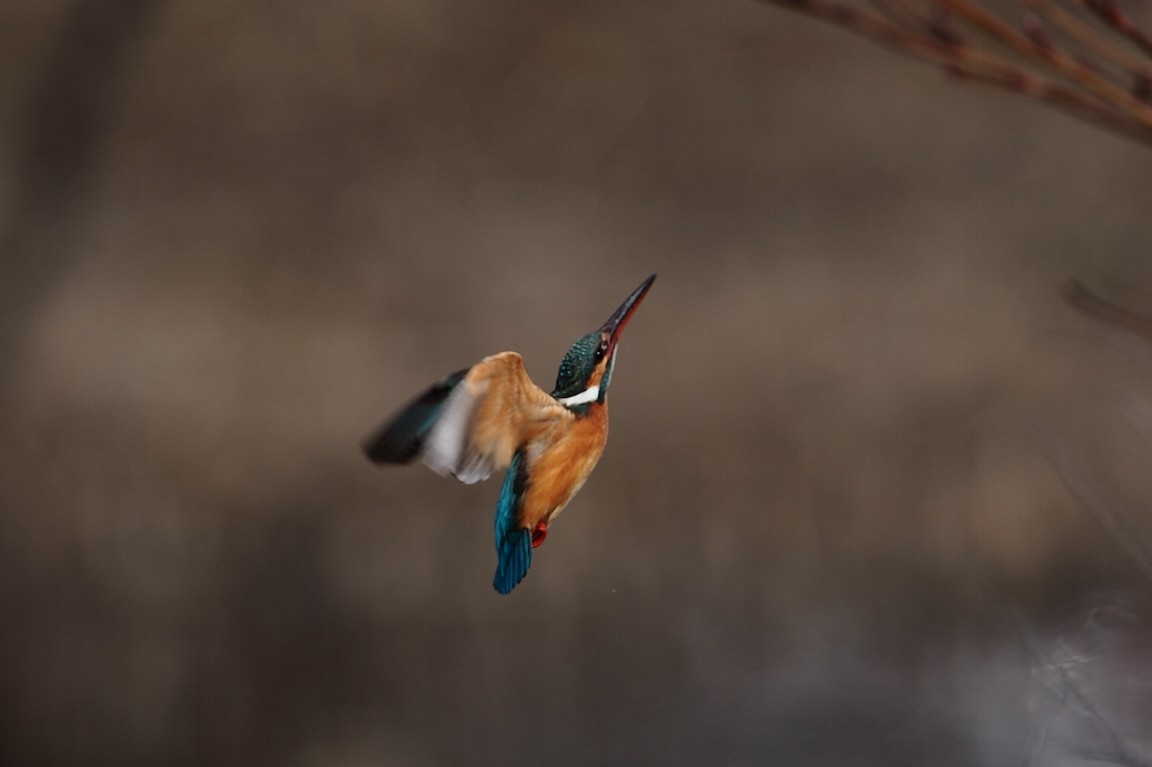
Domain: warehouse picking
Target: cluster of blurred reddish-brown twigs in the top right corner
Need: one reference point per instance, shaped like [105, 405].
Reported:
[1102, 73]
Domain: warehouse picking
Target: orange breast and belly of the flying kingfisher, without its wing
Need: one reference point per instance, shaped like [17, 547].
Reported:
[559, 464]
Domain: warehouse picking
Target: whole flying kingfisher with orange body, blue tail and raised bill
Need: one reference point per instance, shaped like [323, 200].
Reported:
[492, 417]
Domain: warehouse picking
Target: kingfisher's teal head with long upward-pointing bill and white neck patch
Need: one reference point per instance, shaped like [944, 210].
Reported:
[587, 369]
